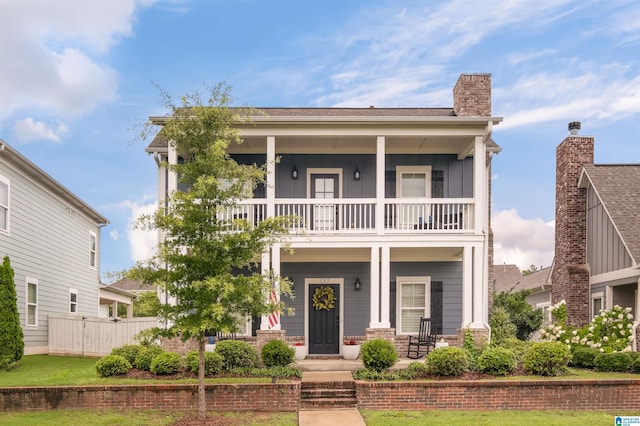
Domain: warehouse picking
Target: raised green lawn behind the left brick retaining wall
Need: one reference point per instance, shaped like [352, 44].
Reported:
[49, 370]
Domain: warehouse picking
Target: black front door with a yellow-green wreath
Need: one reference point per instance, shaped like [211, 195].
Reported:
[324, 321]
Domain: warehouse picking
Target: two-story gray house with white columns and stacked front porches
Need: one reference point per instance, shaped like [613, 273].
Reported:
[395, 214]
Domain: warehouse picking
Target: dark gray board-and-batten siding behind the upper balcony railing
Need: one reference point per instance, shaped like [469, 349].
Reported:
[451, 178]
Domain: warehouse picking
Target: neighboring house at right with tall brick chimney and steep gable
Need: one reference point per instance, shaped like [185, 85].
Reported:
[597, 231]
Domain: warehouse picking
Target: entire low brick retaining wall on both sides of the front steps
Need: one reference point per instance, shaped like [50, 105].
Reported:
[552, 394]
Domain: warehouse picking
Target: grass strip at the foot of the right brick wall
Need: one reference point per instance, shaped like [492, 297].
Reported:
[497, 418]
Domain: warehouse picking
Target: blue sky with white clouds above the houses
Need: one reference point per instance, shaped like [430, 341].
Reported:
[77, 76]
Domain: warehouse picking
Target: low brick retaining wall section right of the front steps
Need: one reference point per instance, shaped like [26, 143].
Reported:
[501, 395]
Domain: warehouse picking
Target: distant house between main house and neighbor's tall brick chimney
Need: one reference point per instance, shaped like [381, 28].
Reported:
[509, 279]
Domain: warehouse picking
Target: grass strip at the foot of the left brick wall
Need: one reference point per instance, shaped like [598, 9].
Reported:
[134, 418]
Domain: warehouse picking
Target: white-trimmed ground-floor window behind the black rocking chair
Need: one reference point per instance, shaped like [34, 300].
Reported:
[414, 302]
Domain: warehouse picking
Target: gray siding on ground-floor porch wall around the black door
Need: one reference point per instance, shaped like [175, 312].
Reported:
[446, 292]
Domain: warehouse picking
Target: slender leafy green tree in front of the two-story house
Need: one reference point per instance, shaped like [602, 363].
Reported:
[204, 246]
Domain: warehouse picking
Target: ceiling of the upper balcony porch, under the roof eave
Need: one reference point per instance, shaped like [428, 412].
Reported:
[443, 144]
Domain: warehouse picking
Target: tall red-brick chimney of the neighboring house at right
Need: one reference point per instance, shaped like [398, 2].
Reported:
[570, 279]
